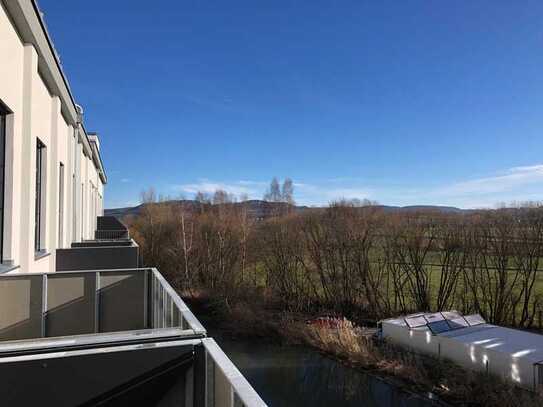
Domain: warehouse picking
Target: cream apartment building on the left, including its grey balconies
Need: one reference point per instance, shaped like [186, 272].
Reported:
[76, 308]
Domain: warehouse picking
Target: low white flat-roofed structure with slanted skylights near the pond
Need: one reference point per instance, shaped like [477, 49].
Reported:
[472, 343]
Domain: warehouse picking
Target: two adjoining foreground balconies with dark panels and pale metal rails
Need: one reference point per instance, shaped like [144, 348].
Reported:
[109, 337]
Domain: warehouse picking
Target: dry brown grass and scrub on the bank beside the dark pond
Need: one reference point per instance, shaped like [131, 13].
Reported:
[420, 373]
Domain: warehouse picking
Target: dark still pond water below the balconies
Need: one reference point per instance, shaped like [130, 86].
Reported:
[299, 376]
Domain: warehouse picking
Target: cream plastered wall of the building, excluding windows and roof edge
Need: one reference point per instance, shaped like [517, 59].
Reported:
[38, 113]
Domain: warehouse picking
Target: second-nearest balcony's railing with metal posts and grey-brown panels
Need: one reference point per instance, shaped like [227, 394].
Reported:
[87, 302]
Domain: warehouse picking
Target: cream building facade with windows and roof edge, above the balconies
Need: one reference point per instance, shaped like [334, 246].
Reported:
[52, 183]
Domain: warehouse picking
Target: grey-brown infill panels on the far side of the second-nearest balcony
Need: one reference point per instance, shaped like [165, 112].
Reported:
[75, 305]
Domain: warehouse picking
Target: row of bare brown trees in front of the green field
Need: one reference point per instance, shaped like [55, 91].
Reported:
[365, 263]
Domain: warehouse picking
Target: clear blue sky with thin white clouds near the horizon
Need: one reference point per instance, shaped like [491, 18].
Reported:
[403, 102]
